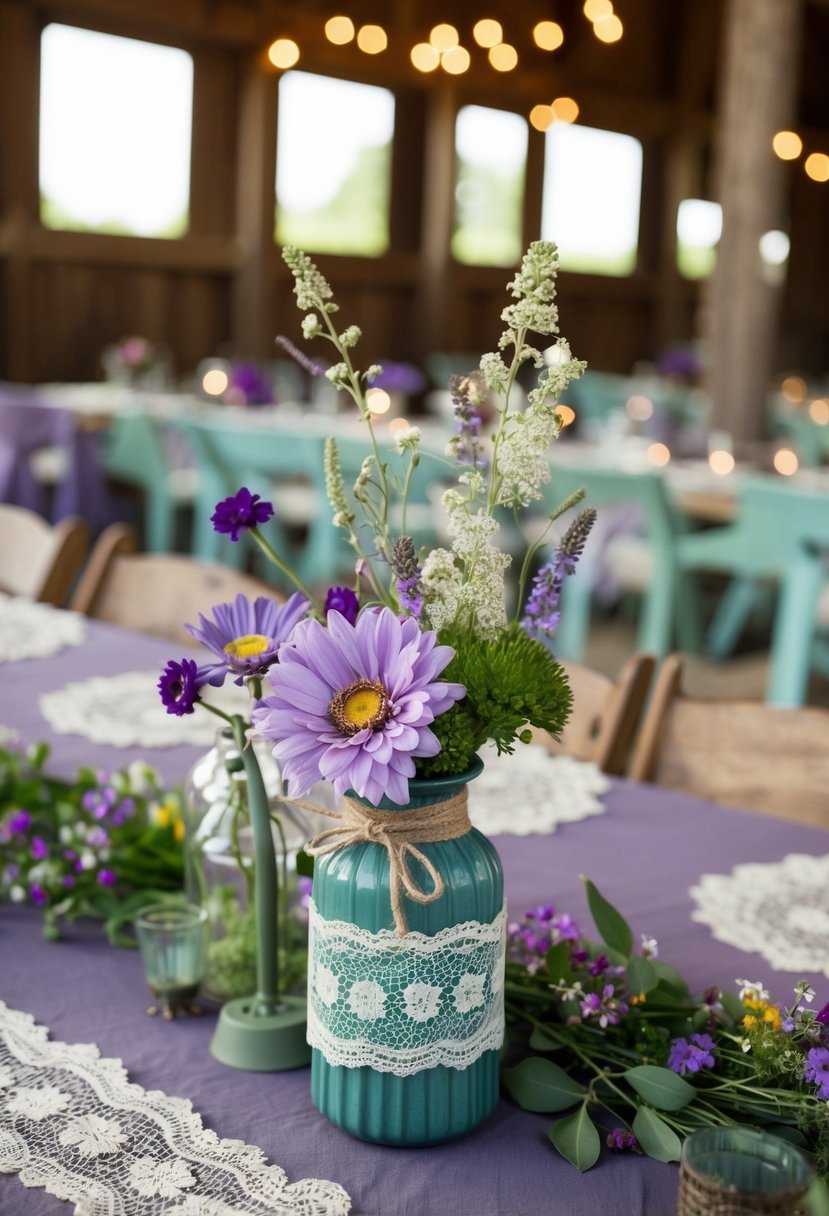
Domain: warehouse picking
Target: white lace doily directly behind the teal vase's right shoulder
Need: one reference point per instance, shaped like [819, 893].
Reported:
[532, 792]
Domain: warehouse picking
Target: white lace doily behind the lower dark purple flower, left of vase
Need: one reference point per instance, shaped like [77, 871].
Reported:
[126, 711]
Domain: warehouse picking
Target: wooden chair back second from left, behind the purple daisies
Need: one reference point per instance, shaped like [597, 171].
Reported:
[155, 593]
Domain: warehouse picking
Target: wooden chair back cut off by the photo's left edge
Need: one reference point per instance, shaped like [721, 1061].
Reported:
[38, 559]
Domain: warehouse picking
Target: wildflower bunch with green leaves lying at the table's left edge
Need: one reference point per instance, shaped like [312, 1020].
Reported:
[103, 846]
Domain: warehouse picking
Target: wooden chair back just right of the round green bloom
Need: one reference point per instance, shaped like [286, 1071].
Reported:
[606, 714]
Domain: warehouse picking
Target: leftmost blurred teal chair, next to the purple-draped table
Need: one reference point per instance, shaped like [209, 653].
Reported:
[134, 453]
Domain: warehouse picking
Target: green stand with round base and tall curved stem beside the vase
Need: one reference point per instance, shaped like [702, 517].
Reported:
[266, 1032]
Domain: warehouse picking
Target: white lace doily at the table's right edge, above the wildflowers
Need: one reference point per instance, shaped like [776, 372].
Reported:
[779, 910]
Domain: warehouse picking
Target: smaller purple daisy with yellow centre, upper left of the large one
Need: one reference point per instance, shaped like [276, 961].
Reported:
[246, 637]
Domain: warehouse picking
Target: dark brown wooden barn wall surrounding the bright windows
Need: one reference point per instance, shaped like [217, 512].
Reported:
[223, 289]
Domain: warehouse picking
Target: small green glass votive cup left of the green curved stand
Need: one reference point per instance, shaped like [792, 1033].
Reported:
[173, 941]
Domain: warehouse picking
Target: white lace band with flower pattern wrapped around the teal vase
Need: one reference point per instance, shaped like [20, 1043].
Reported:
[404, 1005]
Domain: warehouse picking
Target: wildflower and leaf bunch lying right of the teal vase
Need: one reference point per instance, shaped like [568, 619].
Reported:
[639, 1062]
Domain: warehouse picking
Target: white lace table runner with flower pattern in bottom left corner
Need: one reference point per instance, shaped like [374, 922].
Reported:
[74, 1124]
